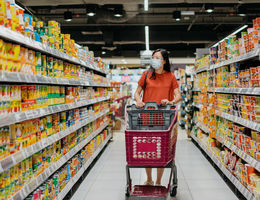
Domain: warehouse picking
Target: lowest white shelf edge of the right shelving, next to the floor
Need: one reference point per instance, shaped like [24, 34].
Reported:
[247, 194]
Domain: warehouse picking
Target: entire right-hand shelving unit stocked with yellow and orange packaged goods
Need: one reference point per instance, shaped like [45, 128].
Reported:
[227, 121]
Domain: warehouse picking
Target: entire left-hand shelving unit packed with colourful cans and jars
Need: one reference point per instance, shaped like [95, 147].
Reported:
[42, 68]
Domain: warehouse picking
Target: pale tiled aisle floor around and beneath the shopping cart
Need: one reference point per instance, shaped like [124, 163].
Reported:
[197, 179]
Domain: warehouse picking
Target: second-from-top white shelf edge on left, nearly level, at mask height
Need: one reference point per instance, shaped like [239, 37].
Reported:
[18, 77]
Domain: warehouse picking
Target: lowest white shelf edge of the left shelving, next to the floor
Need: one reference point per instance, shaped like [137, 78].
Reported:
[71, 183]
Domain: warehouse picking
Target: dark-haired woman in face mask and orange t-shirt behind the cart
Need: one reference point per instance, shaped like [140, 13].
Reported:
[161, 87]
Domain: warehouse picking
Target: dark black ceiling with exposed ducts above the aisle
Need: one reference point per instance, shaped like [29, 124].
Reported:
[125, 37]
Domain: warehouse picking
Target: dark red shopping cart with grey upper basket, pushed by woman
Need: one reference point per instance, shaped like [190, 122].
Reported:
[151, 136]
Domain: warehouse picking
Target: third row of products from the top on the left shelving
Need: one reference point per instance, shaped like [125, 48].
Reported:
[17, 98]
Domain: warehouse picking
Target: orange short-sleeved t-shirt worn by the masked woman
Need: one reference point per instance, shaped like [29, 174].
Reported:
[161, 88]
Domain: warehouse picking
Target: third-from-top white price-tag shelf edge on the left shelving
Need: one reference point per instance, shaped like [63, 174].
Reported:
[12, 118]
